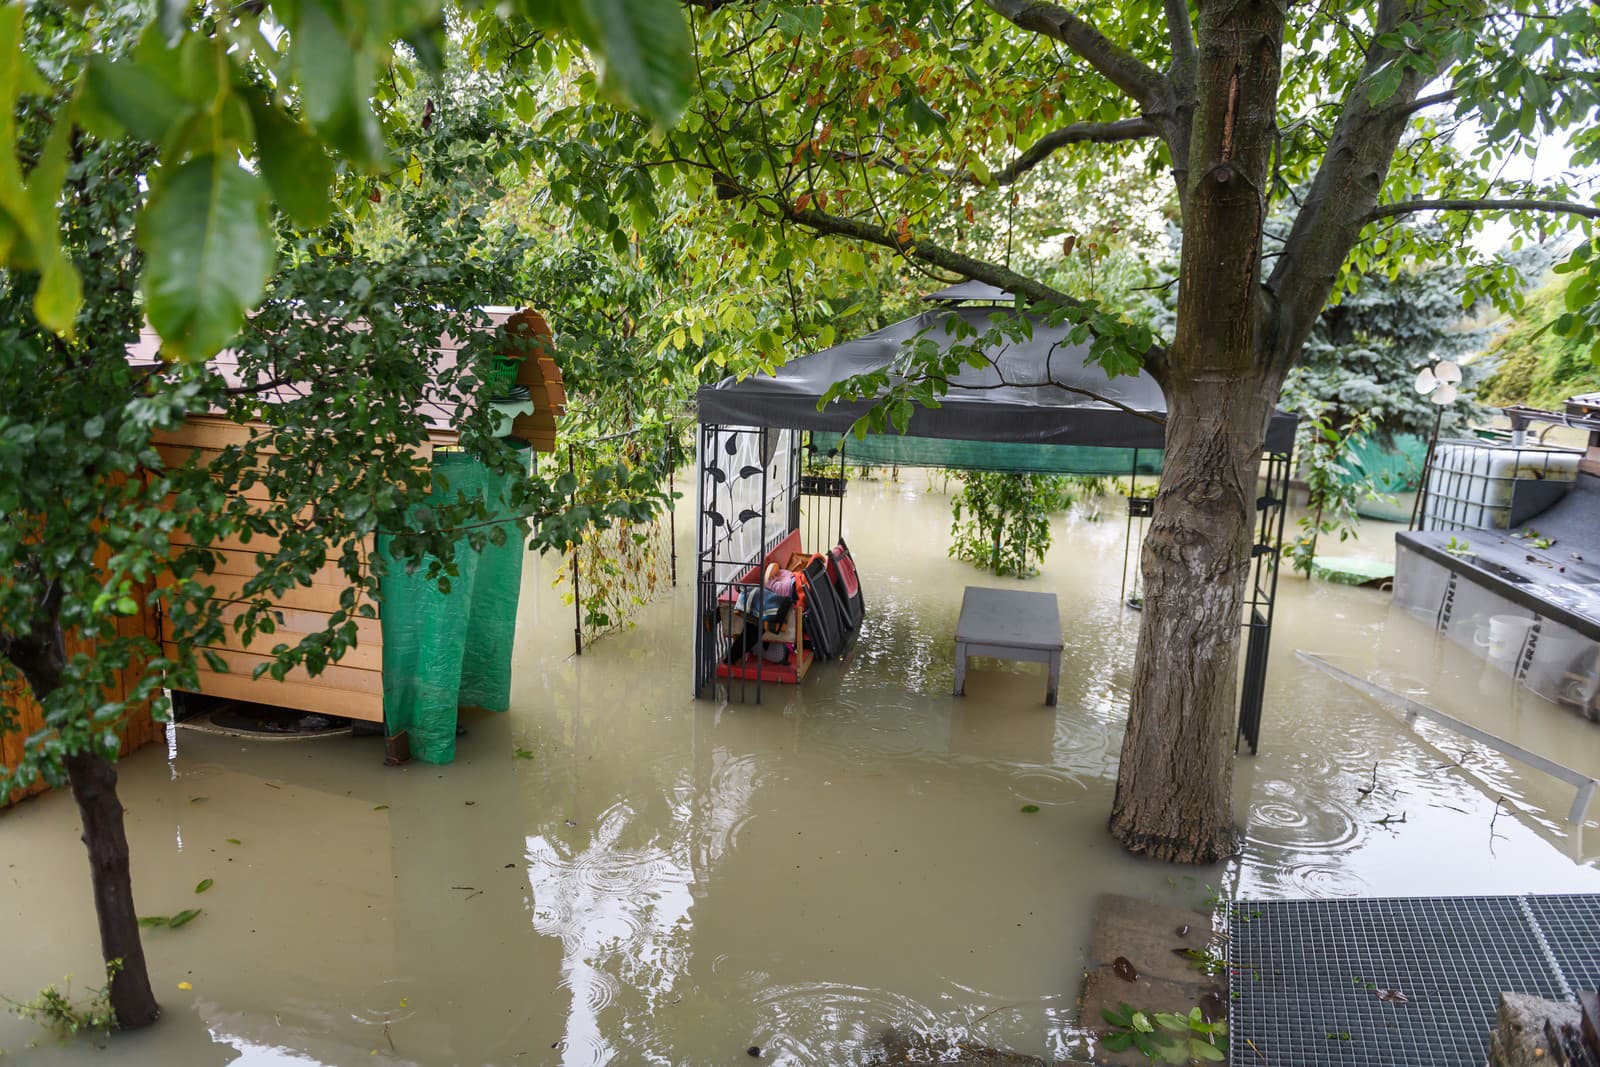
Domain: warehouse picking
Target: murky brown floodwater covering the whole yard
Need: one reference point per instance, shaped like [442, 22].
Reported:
[615, 873]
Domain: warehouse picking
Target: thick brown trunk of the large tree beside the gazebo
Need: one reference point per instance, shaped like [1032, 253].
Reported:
[1175, 781]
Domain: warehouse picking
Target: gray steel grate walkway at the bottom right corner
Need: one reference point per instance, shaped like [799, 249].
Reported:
[1398, 981]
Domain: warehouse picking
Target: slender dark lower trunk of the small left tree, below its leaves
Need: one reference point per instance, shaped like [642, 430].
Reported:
[95, 788]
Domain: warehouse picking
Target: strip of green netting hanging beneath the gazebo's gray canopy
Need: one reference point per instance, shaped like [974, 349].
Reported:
[894, 450]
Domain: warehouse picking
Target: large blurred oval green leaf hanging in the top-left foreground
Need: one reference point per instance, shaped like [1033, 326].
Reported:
[210, 252]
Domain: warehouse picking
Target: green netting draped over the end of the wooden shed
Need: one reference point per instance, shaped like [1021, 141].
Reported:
[444, 652]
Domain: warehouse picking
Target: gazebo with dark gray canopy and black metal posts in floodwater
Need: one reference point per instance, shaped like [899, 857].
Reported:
[1036, 404]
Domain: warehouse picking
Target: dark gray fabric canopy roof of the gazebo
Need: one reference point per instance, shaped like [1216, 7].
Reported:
[1041, 391]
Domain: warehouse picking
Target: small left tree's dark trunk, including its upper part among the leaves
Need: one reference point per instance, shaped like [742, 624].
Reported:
[41, 657]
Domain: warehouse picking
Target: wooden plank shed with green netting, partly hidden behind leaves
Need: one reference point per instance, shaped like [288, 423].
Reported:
[423, 652]
